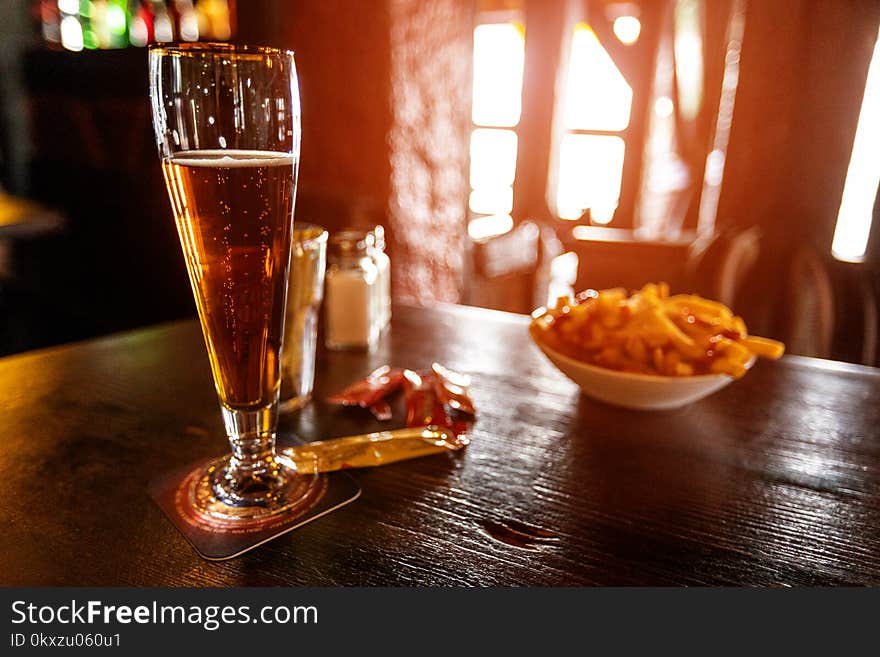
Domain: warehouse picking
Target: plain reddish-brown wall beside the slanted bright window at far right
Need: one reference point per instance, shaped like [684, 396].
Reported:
[802, 77]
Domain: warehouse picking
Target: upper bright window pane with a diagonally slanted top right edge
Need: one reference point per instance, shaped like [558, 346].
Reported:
[597, 95]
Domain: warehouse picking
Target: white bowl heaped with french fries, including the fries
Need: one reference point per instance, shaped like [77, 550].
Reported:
[649, 350]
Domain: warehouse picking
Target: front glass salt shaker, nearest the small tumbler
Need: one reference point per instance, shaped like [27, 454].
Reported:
[350, 309]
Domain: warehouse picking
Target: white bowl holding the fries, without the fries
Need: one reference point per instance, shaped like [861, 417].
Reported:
[645, 392]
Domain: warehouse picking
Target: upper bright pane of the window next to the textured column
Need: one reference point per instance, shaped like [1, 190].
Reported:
[499, 54]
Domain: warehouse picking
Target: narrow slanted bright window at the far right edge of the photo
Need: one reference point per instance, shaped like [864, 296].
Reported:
[863, 176]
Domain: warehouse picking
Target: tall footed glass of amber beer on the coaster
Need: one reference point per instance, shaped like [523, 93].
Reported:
[227, 124]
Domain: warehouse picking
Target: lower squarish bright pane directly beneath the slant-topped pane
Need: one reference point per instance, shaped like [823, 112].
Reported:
[590, 173]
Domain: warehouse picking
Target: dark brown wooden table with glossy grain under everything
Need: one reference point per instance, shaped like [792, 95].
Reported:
[775, 480]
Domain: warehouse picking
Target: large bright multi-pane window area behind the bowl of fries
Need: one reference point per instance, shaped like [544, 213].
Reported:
[603, 114]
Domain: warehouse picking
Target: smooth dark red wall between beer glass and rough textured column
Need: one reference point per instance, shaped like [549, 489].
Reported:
[343, 58]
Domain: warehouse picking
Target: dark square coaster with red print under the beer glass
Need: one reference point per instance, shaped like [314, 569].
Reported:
[217, 539]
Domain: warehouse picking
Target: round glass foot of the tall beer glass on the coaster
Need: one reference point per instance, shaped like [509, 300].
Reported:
[218, 496]
